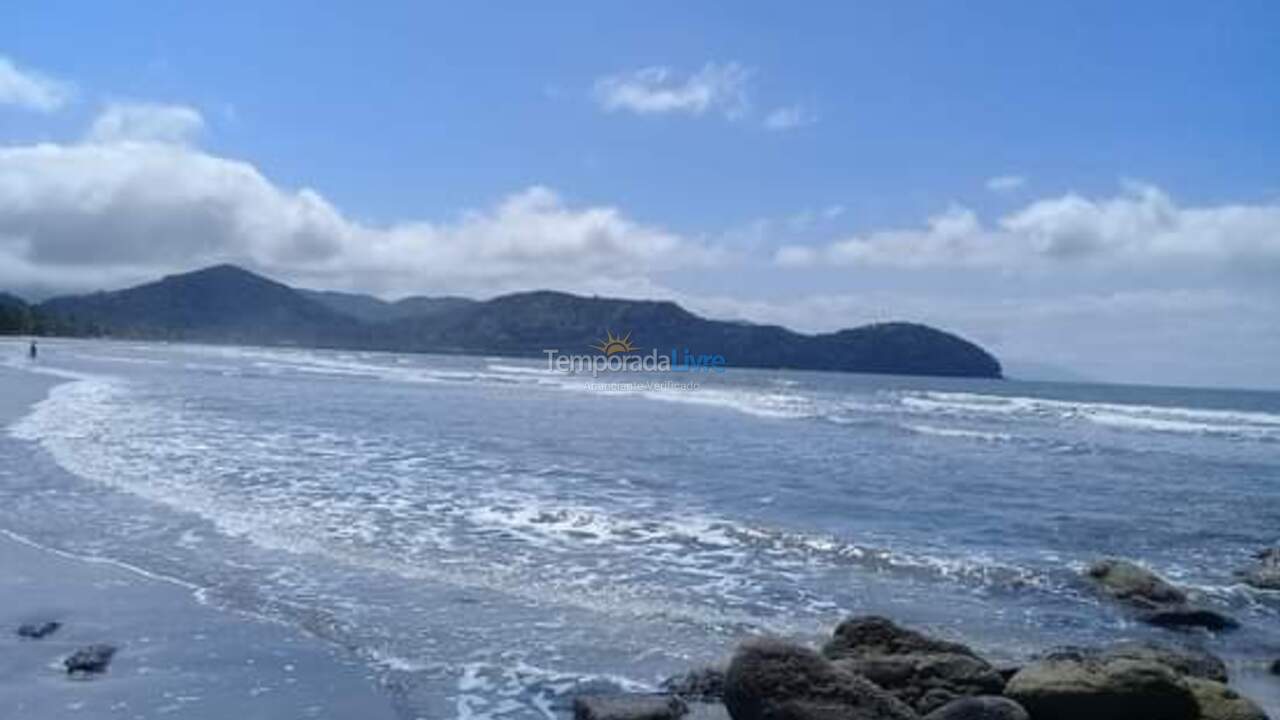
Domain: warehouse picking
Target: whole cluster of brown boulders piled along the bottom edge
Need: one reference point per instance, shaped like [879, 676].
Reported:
[872, 669]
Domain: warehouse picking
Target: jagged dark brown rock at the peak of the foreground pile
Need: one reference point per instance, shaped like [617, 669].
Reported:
[922, 672]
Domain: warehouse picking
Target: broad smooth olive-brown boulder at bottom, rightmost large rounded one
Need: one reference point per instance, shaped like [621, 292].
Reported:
[1103, 690]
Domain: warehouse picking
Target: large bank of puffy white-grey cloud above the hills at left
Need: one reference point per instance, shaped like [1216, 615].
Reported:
[132, 209]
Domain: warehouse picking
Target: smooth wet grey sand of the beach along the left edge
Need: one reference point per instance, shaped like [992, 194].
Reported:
[177, 657]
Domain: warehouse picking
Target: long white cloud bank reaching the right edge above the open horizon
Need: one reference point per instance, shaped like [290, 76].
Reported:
[1135, 229]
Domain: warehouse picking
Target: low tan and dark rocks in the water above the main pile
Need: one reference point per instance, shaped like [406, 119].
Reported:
[1158, 601]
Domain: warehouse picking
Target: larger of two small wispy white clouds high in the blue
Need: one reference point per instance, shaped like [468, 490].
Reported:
[659, 90]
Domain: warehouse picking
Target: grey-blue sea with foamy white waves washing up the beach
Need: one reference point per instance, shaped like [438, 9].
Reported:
[490, 536]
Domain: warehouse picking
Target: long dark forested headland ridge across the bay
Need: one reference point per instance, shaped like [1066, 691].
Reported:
[228, 304]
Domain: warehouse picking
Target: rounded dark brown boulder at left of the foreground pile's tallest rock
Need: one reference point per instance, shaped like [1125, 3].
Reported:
[772, 680]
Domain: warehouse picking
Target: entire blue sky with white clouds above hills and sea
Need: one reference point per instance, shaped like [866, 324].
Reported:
[1086, 186]
